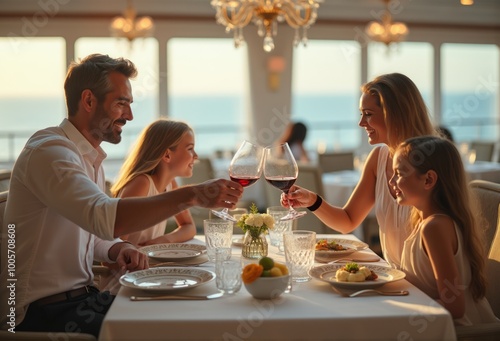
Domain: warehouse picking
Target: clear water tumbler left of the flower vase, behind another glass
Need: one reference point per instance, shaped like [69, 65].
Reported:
[218, 233]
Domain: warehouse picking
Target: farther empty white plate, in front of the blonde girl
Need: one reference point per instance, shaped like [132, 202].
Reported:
[173, 251]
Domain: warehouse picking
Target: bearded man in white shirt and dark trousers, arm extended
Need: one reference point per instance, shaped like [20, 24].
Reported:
[59, 218]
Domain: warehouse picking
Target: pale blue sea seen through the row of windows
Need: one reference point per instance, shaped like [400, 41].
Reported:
[332, 121]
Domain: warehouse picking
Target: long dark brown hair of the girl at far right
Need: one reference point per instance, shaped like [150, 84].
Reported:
[452, 196]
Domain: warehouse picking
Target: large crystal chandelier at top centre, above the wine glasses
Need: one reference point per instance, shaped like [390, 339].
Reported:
[266, 14]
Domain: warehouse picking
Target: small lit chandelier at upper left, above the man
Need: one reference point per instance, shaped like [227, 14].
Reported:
[129, 26]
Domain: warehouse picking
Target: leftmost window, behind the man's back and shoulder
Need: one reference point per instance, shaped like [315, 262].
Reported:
[31, 90]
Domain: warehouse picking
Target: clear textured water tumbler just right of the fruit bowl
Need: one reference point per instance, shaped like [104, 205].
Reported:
[299, 253]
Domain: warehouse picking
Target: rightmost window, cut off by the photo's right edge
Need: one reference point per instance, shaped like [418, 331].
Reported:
[470, 91]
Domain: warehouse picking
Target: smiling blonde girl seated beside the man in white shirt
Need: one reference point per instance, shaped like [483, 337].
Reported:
[164, 151]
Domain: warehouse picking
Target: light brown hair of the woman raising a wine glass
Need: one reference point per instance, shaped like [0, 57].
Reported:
[405, 112]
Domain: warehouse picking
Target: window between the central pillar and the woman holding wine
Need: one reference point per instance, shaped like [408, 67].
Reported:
[325, 93]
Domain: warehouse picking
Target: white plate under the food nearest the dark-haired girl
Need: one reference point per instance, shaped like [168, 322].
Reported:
[326, 273]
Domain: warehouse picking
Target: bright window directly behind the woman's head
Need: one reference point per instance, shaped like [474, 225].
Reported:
[414, 60]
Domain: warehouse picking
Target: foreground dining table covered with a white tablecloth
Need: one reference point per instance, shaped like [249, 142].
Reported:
[311, 310]
